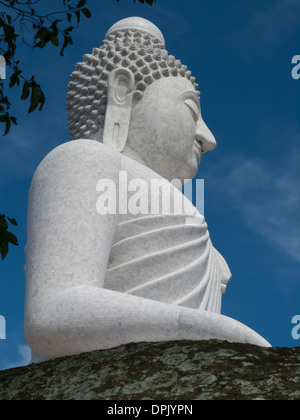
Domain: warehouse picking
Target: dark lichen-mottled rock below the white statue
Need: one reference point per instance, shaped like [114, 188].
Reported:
[182, 370]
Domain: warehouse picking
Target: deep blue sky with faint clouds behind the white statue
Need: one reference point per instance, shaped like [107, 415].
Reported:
[241, 54]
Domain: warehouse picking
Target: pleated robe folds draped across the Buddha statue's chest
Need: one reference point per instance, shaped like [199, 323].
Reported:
[158, 257]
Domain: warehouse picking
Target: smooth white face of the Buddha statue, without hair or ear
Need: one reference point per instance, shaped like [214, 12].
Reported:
[167, 132]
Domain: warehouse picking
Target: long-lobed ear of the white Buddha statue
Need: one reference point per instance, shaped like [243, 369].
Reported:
[120, 89]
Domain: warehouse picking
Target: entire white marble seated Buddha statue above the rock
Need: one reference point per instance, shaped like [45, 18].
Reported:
[96, 279]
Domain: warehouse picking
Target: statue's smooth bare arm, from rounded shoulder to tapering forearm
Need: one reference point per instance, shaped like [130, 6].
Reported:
[67, 311]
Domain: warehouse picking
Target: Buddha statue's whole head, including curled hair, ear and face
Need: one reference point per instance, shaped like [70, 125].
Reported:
[133, 96]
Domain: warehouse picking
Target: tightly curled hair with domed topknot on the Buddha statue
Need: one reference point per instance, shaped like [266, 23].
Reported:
[141, 51]
